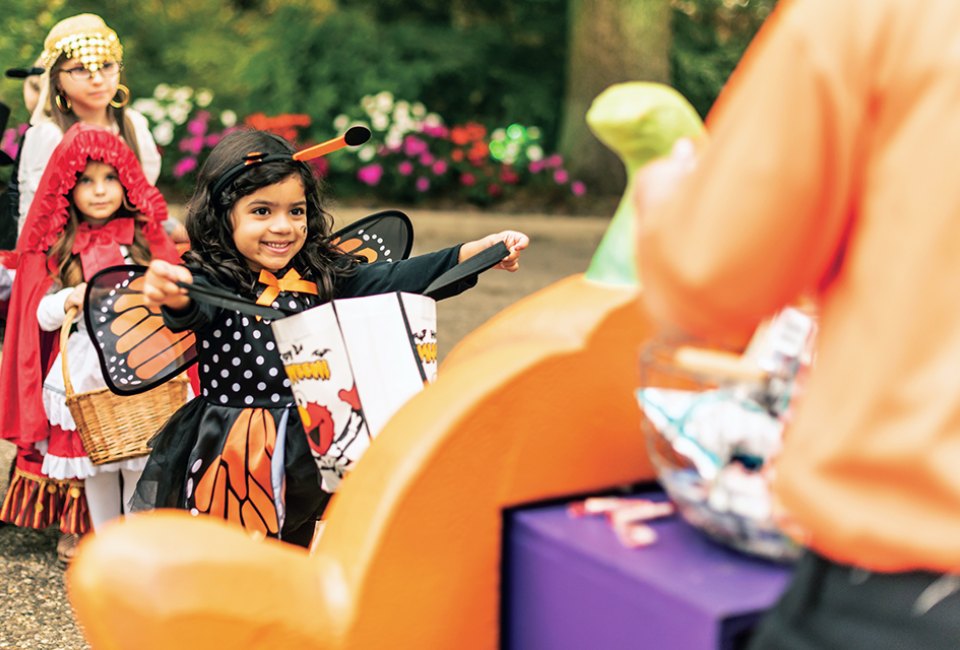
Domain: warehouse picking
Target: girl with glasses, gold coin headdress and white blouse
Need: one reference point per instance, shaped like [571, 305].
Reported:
[82, 60]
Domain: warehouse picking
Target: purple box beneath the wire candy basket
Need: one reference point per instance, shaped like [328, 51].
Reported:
[569, 583]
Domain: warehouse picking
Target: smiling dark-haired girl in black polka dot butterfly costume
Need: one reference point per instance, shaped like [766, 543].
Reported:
[258, 228]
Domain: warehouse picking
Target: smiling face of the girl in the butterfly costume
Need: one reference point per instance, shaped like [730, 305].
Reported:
[270, 224]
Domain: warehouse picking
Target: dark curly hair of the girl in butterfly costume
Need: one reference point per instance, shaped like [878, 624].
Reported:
[210, 226]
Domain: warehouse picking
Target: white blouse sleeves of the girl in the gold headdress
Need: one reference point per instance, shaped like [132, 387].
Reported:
[41, 139]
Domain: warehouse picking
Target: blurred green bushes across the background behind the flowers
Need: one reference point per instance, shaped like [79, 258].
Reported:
[493, 64]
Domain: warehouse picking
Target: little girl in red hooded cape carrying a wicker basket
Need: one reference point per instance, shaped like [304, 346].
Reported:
[94, 208]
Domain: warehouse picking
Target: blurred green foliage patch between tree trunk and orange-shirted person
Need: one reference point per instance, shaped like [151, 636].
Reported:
[709, 38]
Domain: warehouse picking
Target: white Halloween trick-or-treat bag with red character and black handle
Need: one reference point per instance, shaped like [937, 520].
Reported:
[354, 362]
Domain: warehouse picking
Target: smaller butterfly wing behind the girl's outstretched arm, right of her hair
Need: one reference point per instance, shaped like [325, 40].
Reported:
[380, 237]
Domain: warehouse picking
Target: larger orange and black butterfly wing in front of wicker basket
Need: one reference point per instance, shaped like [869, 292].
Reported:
[137, 351]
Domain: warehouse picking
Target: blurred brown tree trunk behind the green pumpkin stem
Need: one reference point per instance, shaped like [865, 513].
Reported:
[610, 41]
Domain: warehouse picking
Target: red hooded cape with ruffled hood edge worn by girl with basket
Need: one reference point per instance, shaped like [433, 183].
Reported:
[27, 351]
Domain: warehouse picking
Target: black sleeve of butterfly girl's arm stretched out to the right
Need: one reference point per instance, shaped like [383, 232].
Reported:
[413, 275]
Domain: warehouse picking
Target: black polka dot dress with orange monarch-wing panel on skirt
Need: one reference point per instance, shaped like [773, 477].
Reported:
[239, 450]
